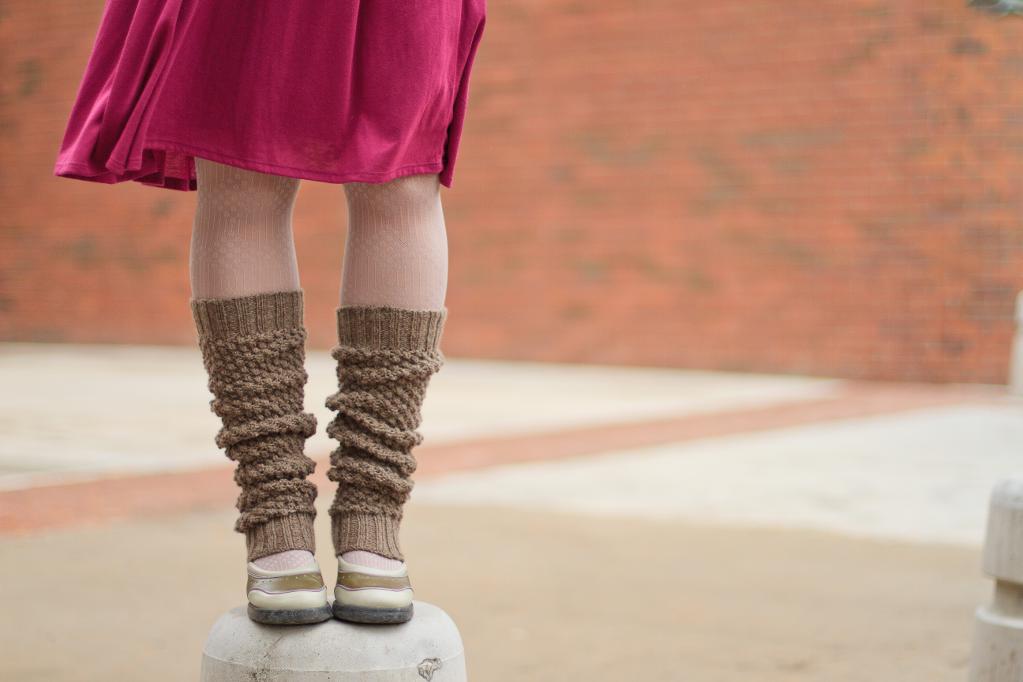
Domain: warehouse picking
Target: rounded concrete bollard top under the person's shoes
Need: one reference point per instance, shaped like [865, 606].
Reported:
[428, 648]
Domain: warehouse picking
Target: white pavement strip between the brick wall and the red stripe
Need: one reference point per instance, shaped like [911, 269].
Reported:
[77, 411]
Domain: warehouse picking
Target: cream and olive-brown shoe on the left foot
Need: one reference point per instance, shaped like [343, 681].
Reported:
[293, 597]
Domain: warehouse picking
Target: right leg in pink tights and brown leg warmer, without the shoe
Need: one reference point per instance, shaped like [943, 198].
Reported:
[390, 322]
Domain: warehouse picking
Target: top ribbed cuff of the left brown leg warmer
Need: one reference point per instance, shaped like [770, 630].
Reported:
[247, 315]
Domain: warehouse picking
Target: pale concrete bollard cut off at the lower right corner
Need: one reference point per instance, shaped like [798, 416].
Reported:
[998, 642]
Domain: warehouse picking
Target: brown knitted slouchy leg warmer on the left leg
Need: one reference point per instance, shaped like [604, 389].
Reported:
[254, 352]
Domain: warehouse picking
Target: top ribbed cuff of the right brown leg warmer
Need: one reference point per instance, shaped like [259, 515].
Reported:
[385, 327]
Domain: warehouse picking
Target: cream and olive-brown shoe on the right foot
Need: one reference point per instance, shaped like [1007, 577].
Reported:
[365, 595]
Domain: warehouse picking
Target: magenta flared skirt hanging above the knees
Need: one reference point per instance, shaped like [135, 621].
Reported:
[337, 92]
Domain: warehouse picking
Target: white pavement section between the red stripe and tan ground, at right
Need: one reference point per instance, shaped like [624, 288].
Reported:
[921, 476]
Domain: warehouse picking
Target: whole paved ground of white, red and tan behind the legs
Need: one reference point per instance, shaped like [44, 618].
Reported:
[577, 522]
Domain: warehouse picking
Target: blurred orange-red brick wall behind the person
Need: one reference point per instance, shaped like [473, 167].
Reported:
[826, 188]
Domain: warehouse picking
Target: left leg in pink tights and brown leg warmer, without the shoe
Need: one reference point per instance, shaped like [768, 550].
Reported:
[248, 306]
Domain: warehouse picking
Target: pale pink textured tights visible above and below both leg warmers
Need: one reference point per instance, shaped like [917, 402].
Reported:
[395, 255]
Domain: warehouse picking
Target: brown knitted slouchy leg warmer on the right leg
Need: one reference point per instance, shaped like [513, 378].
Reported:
[386, 357]
